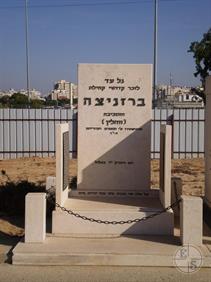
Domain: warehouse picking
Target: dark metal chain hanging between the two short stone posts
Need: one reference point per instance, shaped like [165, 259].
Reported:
[100, 221]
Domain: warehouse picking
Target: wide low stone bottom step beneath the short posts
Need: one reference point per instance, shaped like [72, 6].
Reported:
[124, 251]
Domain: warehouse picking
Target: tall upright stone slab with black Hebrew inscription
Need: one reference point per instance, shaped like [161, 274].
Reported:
[114, 115]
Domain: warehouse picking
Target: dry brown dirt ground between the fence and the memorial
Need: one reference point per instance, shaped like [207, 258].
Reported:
[36, 170]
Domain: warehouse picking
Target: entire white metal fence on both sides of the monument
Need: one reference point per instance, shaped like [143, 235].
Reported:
[31, 132]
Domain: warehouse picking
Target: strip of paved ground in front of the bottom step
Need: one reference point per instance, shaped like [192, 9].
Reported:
[12, 273]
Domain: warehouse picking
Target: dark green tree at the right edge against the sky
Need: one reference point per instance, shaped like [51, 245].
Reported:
[202, 54]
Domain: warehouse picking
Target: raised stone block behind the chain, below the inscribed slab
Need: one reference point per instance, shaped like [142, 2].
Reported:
[112, 209]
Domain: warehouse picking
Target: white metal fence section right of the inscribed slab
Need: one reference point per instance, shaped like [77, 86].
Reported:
[188, 132]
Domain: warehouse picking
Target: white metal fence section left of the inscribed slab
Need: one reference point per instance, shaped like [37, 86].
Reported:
[31, 132]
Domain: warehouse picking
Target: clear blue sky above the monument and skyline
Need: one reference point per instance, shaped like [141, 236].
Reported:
[91, 31]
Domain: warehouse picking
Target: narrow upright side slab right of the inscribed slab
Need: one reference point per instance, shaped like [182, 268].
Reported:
[165, 165]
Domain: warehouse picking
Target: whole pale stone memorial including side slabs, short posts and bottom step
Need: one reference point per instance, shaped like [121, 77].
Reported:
[114, 117]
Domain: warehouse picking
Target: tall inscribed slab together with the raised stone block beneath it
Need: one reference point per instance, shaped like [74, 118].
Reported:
[114, 117]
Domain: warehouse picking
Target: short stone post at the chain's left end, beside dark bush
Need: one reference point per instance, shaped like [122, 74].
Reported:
[35, 218]
